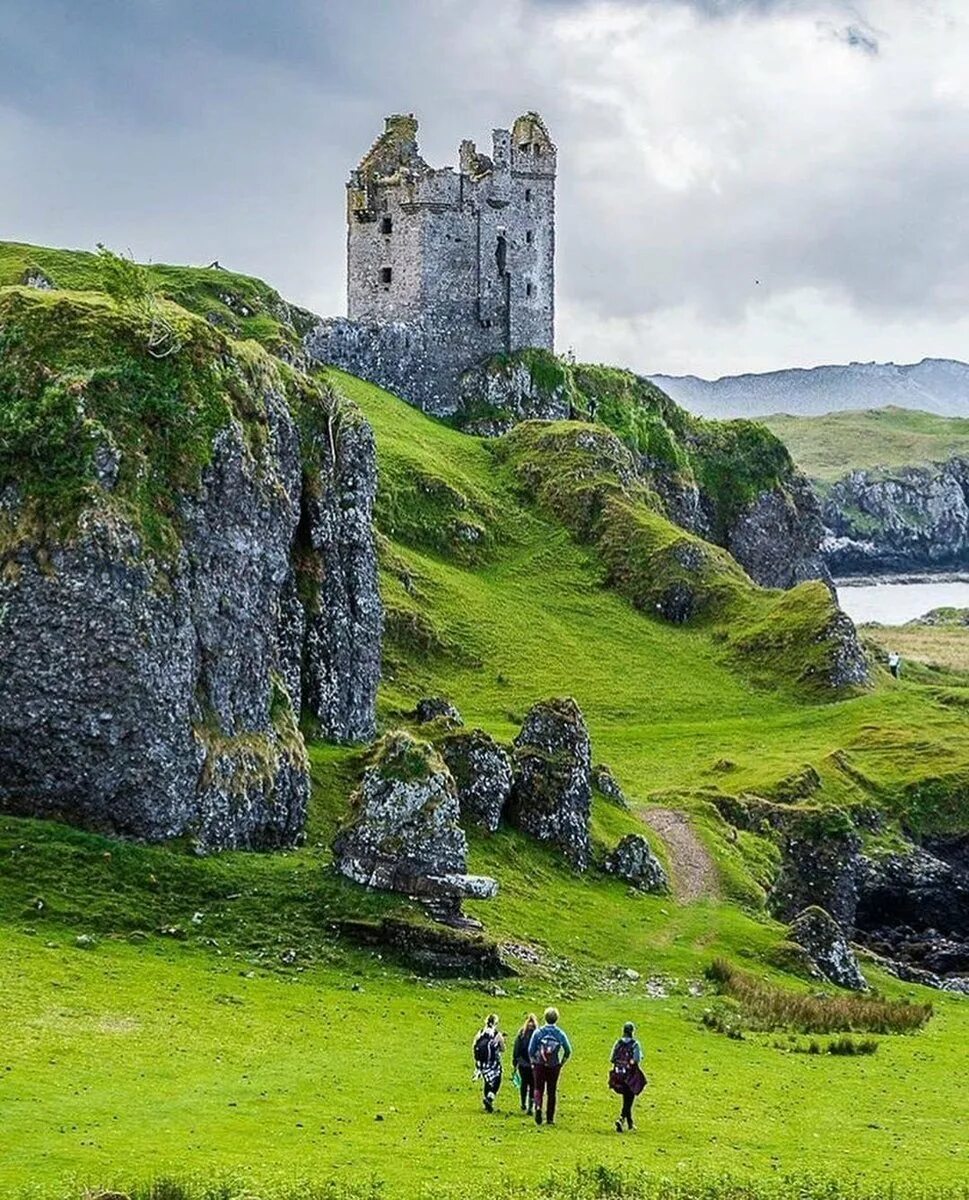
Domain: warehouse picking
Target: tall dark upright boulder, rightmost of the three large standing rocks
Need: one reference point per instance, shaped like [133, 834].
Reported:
[552, 795]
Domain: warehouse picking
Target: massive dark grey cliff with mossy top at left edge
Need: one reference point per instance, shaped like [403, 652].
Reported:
[186, 567]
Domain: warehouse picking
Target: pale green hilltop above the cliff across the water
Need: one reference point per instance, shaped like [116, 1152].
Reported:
[829, 447]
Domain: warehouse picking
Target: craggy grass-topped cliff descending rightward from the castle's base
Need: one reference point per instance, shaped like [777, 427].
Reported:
[732, 483]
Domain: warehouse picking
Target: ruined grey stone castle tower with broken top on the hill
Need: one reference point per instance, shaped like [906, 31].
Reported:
[446, 268]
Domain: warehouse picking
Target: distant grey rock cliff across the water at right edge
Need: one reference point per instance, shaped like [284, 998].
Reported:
[912, 518]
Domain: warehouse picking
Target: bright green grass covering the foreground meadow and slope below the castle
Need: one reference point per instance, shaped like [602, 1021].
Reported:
[168, 1016]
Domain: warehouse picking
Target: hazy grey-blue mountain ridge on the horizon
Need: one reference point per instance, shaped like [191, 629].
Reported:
[934, 386]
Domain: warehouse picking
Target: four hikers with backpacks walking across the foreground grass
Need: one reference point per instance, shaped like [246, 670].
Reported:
[539, 1054]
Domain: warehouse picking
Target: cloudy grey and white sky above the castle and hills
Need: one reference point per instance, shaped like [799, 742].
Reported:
[743, 184]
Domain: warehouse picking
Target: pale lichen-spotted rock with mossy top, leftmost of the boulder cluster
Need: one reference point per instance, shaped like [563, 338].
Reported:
[405, 832]
